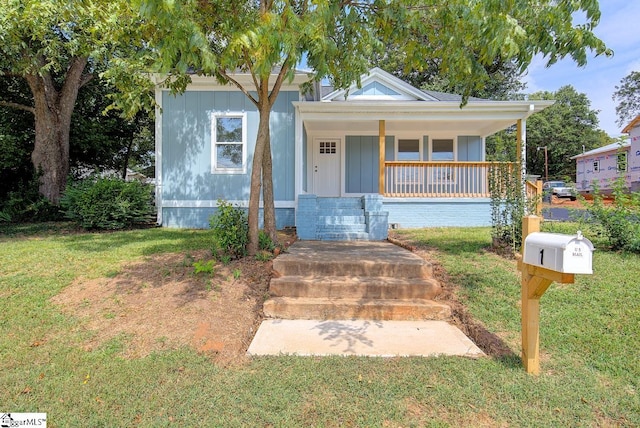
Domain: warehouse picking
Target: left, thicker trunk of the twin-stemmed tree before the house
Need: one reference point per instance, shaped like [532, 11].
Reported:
[264, 111]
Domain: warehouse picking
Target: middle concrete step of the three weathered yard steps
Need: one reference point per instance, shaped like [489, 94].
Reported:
[354, 287]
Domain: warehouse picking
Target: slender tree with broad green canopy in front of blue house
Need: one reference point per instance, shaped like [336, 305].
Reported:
[337, 38]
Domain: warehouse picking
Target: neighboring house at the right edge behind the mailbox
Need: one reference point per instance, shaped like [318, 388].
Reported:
[598, 168]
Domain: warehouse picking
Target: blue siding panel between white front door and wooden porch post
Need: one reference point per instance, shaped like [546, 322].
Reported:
[362, 162]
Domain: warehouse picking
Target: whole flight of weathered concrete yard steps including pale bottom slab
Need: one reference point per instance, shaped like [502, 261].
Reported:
[363, 267]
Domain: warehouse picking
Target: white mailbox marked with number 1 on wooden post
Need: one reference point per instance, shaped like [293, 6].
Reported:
[558, 252]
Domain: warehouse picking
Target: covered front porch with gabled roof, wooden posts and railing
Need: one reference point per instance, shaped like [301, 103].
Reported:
[422, 154]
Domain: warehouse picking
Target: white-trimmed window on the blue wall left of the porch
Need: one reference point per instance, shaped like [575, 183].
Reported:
[229, 143]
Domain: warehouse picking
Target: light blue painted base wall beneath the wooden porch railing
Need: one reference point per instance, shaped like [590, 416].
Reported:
[433, 212]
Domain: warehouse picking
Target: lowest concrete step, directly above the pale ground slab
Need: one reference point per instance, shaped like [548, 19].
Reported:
[373, 309]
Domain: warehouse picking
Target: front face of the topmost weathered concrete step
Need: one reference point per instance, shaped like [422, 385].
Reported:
[333, 266]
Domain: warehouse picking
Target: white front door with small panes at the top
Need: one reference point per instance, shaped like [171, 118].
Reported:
[326, 167]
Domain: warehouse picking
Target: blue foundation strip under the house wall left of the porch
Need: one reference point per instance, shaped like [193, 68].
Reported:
[198, 218]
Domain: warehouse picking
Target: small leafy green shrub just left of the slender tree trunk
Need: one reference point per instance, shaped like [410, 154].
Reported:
[230, 231]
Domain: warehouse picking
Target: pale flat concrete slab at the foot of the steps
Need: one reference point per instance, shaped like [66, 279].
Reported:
[362, 338]
